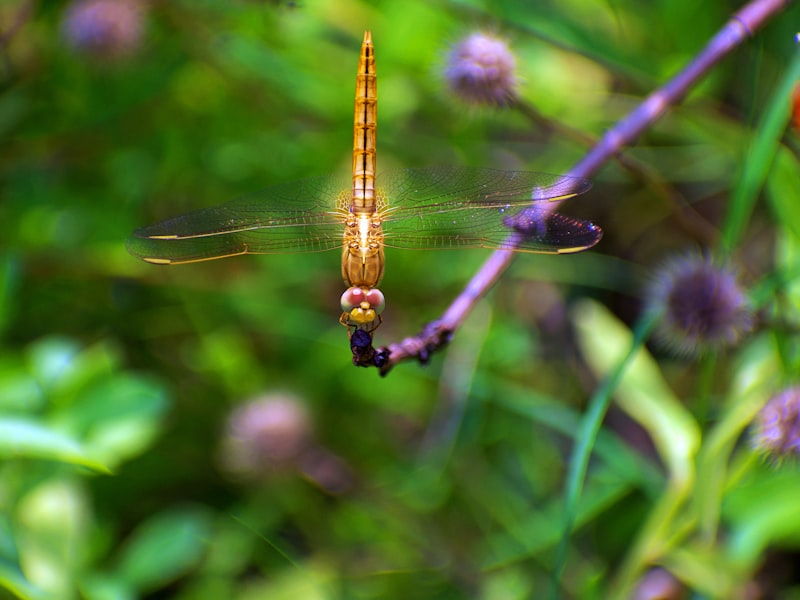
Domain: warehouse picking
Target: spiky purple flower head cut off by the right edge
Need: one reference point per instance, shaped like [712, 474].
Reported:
[777, 426]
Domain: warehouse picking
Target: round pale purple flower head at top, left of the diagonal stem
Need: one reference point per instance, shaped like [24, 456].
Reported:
[480, 70]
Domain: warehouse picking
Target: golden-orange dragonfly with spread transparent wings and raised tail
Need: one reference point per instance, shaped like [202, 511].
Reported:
[417, 208]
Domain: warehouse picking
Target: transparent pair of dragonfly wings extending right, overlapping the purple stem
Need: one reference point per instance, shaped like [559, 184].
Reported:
[464, 207]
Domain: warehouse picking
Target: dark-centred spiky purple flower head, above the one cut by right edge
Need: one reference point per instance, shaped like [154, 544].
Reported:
[701, 305]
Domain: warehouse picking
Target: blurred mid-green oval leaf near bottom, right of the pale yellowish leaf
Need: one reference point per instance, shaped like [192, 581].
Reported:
[164, 548]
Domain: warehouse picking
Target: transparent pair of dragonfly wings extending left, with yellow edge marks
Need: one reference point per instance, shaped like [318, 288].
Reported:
[302, 216]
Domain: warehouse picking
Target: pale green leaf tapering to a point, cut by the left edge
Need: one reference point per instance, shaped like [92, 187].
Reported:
[24, 438]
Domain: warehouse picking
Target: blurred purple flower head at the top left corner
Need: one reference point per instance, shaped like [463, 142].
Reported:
[104, 29]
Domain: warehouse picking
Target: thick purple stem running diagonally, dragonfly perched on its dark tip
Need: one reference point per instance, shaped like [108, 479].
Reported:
[736, 31]
